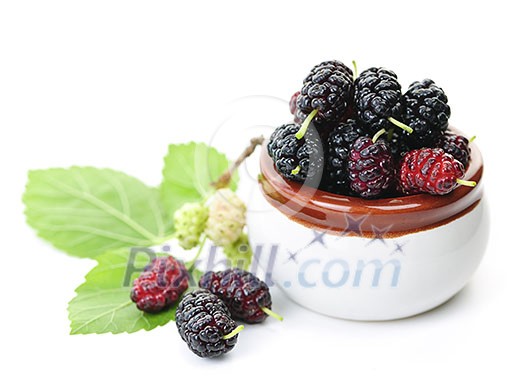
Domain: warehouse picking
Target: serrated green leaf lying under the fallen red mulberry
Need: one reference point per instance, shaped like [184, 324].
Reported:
[103, 304]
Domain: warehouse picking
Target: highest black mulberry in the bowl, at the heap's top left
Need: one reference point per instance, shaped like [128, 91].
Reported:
[329, 89]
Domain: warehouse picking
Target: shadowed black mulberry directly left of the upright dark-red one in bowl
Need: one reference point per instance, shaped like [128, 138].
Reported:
[336, 176]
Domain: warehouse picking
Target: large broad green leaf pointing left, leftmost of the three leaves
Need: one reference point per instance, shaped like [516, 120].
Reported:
[88, 211]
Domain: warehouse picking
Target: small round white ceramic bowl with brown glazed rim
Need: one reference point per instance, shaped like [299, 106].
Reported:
[368, 259]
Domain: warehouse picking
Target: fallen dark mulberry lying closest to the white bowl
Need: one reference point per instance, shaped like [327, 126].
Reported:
[245, 295]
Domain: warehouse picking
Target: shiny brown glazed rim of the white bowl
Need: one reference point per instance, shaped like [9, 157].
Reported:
[354, 216]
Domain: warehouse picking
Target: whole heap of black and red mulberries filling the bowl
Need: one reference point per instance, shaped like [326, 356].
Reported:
[358, 131]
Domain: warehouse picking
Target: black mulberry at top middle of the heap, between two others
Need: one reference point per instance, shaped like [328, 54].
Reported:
[377, 98]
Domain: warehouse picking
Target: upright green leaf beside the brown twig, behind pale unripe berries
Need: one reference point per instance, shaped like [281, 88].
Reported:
[189, 170]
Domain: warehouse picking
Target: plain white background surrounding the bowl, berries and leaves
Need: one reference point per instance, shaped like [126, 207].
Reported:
[110, 84]
